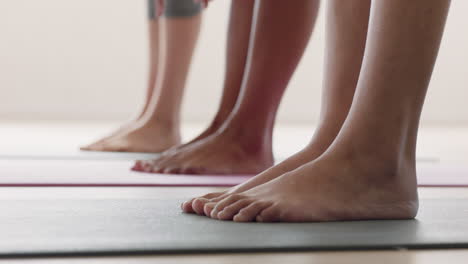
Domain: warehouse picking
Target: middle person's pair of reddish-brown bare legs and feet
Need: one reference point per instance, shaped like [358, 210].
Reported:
[262, 54]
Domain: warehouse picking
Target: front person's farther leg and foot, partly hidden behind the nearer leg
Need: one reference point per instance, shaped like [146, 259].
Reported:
[346, 33]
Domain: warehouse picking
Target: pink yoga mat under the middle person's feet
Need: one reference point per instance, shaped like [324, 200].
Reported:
[117, 173]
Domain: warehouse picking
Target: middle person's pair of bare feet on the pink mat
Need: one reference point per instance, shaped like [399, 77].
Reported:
[219, 153]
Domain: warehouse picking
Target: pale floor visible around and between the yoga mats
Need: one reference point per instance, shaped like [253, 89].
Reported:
[446, 144]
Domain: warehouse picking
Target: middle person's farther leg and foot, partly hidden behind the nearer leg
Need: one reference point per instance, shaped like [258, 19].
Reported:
[240, 23]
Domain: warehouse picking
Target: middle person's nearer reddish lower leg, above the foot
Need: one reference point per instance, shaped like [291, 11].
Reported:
[275, 51]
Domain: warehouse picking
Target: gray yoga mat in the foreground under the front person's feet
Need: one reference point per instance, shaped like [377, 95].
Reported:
[53, 227]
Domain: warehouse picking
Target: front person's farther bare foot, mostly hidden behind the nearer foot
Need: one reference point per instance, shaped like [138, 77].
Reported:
[197, 205]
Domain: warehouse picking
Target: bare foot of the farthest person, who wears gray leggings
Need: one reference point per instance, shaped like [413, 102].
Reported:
[139, 136]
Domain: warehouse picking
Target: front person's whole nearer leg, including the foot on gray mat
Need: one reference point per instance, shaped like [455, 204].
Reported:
[369, 171]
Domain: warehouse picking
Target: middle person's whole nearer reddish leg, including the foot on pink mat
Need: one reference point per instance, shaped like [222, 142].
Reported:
[243, 144]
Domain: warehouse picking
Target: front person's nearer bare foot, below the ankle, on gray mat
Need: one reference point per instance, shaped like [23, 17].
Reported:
[331, 188]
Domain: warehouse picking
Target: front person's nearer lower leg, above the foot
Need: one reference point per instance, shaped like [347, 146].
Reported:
[394, 81]
